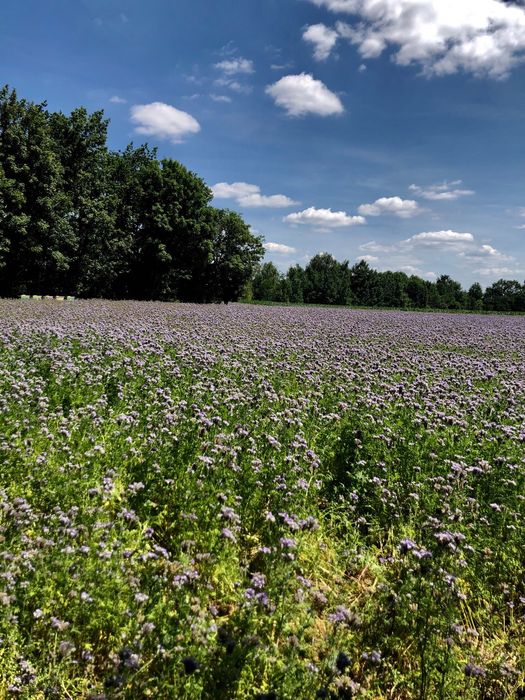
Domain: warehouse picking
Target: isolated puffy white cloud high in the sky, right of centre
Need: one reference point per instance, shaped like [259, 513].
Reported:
[302, 94]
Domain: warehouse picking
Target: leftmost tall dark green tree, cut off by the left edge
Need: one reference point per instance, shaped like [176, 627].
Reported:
[36, 239]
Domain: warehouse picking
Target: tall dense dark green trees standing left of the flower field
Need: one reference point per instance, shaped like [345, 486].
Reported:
[79, 219]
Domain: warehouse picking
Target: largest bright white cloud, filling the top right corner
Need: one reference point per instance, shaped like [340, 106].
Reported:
[483, 37]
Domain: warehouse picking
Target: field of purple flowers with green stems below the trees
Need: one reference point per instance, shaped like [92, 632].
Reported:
[260, 502]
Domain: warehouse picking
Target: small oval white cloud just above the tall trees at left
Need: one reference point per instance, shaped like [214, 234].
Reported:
[164, 121]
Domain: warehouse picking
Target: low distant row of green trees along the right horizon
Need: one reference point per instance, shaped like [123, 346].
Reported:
[326, 281]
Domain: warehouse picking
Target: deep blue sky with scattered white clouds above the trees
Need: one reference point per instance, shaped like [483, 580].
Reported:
[387, 129]
